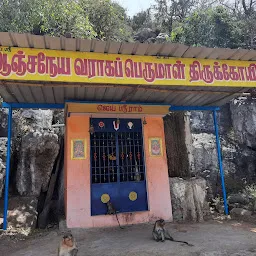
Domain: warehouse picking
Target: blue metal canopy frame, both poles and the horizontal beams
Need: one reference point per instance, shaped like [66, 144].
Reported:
[12, 106]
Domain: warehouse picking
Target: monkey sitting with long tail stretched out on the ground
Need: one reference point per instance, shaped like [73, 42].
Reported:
[160, 233]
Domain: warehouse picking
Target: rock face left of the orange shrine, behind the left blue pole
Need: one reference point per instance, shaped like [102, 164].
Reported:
[35, 146]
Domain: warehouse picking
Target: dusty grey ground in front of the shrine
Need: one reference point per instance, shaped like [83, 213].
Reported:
[214, 238]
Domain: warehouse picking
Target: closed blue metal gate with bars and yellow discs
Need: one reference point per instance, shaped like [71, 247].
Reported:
[117, 165]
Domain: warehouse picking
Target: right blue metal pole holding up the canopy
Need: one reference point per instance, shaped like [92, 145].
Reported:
[218, 147]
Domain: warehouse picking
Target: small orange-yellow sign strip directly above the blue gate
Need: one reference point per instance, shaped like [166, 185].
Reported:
[117, 108]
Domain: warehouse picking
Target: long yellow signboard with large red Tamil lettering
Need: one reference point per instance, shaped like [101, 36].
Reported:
[78, 67]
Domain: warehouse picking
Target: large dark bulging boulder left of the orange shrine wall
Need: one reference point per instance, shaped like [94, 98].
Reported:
[37, 155]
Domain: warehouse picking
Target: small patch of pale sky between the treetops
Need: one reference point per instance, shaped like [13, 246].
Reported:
[135, 6]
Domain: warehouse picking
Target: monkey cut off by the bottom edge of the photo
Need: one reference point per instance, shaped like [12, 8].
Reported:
[68, 246]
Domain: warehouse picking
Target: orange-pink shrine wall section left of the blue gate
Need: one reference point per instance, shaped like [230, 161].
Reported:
[77, 173]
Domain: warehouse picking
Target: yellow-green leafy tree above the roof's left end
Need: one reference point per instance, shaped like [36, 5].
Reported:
[45, 17]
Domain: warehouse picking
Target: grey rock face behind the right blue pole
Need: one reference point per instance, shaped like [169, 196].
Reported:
[237, 123]
